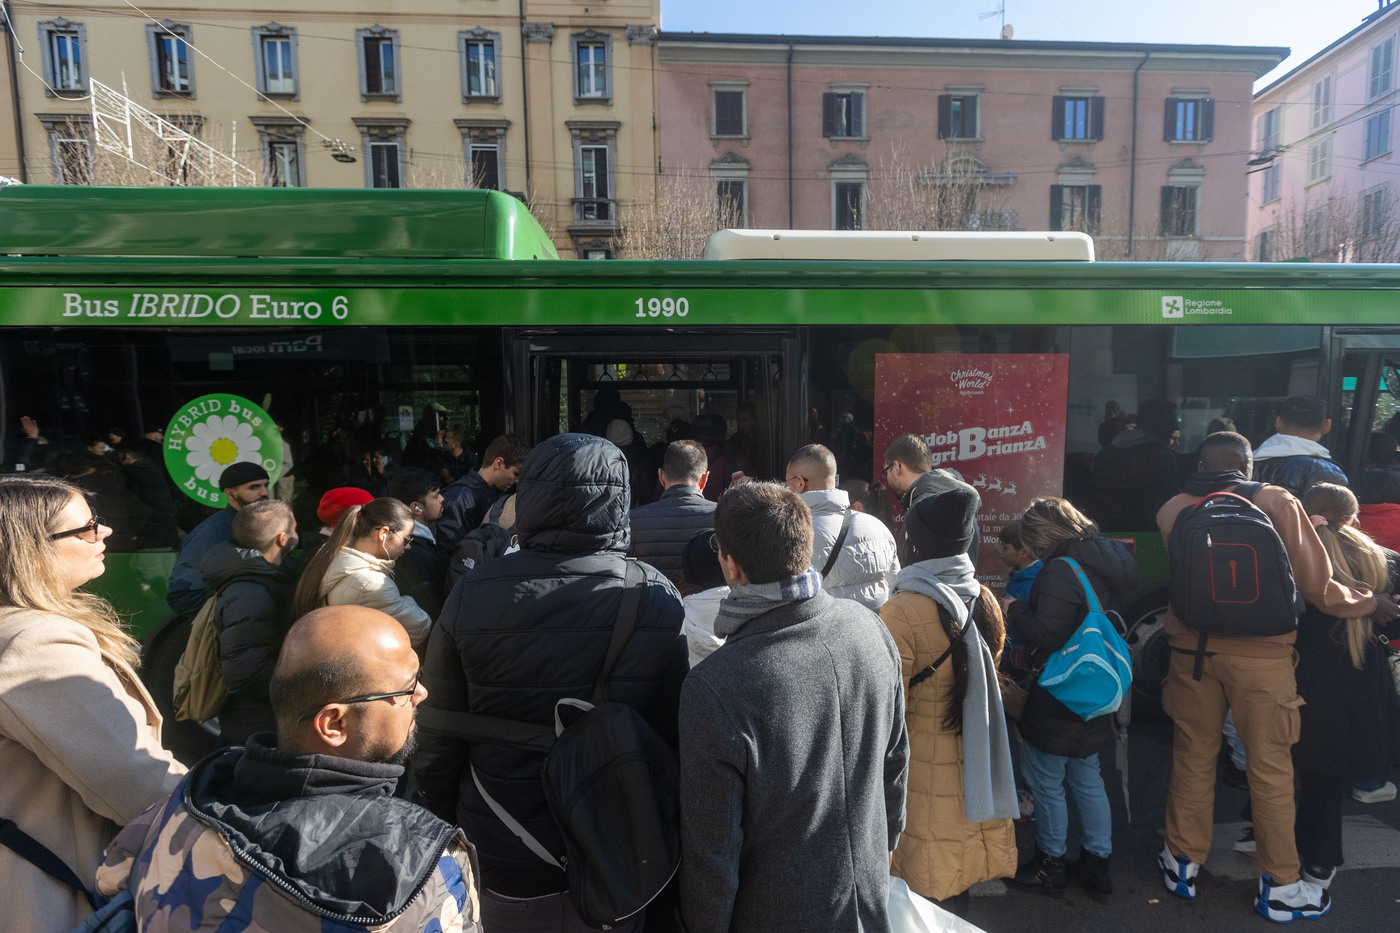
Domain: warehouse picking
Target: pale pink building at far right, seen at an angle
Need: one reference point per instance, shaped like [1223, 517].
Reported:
[1325, 158]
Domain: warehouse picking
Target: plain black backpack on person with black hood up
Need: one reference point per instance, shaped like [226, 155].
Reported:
[611, 782]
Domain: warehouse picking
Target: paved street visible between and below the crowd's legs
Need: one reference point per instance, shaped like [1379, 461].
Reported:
[1367, 892]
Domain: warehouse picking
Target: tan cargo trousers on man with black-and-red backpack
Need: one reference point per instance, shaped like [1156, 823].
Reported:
[1265, 698]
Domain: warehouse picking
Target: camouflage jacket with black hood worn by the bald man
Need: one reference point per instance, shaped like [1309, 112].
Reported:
[261, 841]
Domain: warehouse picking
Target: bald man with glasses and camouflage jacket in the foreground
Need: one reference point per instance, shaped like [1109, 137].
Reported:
[302, 826]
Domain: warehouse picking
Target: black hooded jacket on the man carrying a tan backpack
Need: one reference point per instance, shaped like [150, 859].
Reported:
[253, 616]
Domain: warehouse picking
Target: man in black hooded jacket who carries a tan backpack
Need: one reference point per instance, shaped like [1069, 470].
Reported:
[254, 579]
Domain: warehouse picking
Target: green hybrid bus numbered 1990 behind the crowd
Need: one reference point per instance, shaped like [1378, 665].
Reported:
[353, 315]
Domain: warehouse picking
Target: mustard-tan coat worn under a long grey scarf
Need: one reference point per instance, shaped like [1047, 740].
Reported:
[940, 854]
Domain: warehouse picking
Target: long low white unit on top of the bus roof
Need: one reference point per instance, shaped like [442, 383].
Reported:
[899, 246]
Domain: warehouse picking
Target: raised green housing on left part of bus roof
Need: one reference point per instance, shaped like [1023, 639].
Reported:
[79, 221]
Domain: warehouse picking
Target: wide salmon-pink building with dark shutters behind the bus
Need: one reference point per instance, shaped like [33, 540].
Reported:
[1142, 145]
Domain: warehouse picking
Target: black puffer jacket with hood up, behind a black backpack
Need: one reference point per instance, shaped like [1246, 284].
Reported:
[533, 628]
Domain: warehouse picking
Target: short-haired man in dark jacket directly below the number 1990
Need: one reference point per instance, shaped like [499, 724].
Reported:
[661, 530]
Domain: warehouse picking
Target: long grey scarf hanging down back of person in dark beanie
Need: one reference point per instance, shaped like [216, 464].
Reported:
[989, 785]
